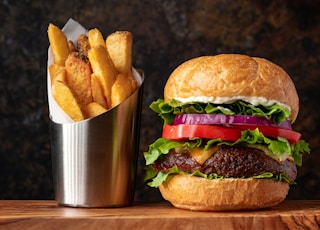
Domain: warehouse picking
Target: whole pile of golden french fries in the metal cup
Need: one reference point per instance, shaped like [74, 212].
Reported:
[93, 74]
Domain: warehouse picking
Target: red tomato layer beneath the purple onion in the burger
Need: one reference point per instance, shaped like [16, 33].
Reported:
[179, 132]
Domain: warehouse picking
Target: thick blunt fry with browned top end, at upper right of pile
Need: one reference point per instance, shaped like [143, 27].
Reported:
[119, 46]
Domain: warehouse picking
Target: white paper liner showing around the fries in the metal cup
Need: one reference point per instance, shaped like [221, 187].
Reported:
[72, 30]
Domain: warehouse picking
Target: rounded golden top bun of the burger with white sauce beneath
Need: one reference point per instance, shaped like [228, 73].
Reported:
[226, 78]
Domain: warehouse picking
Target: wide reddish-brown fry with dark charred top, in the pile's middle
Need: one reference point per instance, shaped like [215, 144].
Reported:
[78, 77]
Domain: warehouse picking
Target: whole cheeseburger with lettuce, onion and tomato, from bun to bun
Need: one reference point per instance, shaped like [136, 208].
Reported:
[227, 140]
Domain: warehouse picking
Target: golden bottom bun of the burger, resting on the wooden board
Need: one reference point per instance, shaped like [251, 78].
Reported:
[195, 193]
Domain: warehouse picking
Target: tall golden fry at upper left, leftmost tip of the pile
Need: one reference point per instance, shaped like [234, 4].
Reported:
[59, 44]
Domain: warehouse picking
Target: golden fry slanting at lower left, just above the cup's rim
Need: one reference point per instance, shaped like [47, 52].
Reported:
[66, 100]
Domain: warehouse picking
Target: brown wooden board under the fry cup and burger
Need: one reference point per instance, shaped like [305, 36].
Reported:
[30, 214]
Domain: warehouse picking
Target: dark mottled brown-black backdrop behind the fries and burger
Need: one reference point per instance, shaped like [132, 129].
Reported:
[166, 33]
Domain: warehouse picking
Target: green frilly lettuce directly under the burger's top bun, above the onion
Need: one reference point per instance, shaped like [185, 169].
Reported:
[168, 110]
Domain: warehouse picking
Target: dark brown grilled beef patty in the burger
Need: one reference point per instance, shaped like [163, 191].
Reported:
[229, 161]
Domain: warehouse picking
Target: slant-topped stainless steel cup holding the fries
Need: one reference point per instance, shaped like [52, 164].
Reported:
[94, 161]
